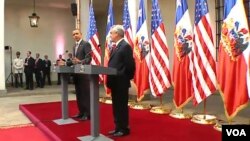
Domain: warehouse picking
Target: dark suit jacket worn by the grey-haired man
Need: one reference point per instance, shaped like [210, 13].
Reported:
[121, 59]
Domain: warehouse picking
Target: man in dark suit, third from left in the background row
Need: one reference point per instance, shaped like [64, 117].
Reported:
[38, 71]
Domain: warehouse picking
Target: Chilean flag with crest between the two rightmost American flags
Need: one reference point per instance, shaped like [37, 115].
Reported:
[182, 66]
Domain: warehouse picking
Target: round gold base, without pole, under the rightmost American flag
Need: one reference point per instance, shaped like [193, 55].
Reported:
[203, 119]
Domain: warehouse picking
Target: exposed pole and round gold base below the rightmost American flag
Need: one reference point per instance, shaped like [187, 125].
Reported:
[204, 118]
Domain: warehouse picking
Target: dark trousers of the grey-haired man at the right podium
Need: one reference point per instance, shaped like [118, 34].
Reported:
[120, 107]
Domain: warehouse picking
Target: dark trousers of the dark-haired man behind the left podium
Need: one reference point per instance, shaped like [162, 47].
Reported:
[82, 87]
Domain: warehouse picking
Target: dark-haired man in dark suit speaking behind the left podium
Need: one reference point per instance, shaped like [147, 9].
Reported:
[82, 55]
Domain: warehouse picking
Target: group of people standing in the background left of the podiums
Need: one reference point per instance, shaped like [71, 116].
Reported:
[40, 67]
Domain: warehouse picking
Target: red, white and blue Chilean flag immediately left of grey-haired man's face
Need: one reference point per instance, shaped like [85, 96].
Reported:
[108, 44]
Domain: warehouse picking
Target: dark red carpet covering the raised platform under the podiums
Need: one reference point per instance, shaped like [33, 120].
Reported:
[144, 125]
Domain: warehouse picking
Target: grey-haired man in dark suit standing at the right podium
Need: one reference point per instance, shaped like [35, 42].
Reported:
[121, 58]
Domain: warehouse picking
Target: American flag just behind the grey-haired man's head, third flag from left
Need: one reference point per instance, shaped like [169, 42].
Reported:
[127, 25]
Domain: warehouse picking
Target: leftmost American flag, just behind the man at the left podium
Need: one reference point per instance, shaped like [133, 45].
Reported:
[93, 39]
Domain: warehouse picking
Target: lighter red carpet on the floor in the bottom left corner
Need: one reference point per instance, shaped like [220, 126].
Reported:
[23, 133]
